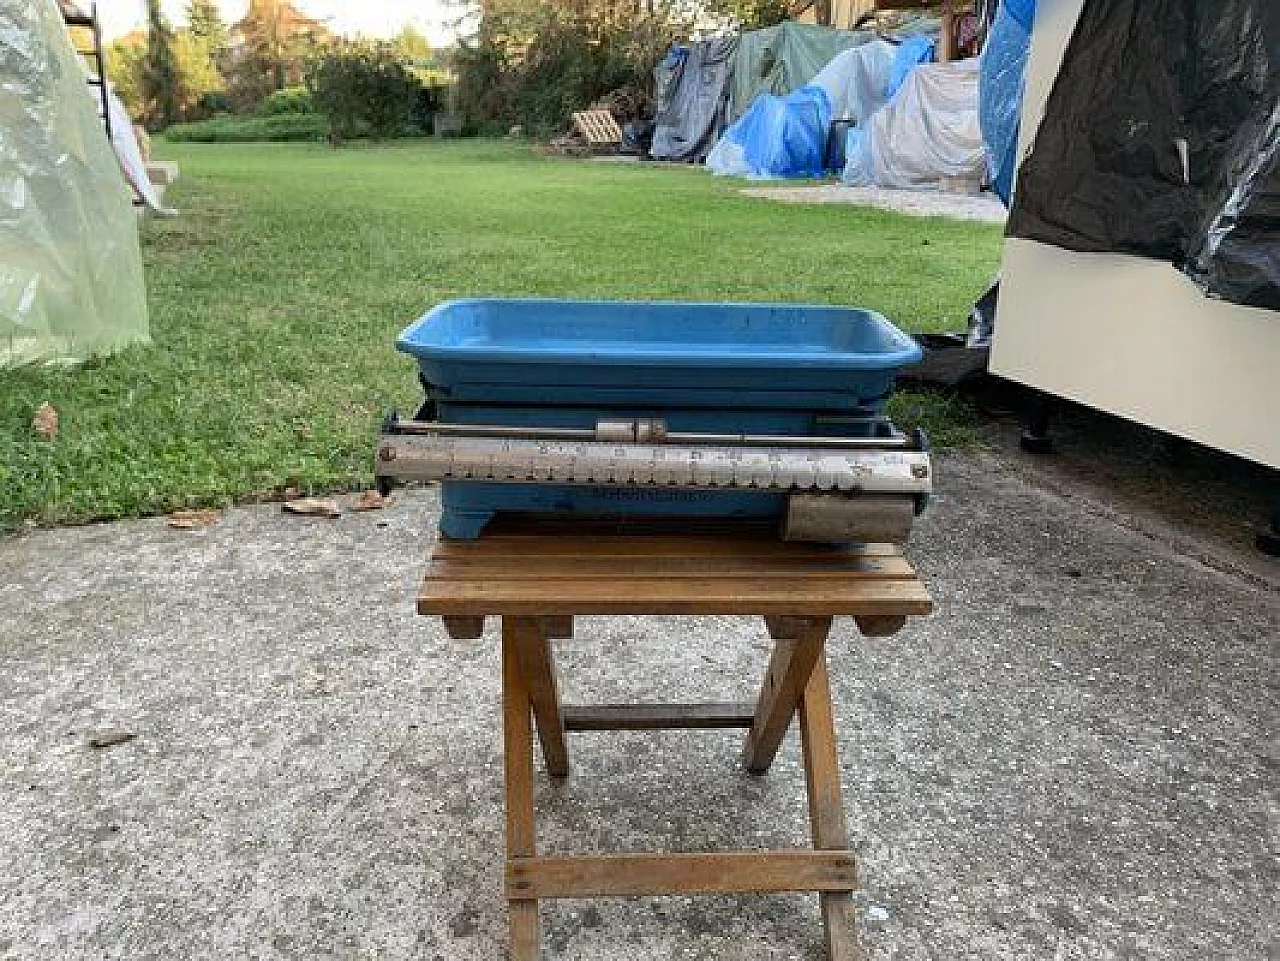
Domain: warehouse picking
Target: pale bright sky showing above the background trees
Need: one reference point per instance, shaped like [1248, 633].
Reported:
[371, 19]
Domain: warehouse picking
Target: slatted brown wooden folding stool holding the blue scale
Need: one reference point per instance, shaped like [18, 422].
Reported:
[537, 583]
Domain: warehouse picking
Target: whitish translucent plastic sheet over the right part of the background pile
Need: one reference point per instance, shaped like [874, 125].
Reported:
[929, 134]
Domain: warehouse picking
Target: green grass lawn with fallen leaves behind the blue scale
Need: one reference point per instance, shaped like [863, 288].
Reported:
[277, 295]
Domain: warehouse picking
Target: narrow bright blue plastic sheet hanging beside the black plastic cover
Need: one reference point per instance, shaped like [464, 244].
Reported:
[1000, 100]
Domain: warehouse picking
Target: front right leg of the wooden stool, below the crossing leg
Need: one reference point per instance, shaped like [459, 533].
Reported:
[828, 809]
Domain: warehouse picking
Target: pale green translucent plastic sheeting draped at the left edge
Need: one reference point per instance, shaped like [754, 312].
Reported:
[71, 269]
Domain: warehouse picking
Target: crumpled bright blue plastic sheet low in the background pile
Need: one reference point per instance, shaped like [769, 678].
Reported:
[779, 138]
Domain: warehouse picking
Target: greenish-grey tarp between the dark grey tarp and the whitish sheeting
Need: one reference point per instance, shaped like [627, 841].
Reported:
[783, 60]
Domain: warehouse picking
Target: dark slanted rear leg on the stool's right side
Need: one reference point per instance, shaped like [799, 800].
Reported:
[784, 687]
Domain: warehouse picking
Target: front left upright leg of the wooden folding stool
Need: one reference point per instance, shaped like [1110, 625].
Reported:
[519, 775]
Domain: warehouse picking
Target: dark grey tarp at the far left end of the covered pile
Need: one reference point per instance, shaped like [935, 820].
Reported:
[692, 108]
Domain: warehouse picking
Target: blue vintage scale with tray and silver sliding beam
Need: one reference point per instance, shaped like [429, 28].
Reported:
[643, 410]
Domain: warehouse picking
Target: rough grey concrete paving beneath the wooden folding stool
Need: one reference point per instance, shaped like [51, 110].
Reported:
[1073, 759]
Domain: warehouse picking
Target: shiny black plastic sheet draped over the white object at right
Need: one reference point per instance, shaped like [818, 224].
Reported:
[1160, 140]
